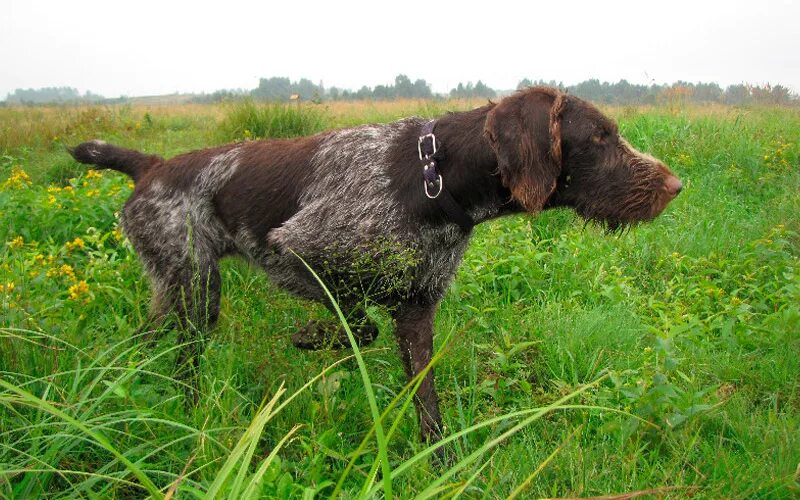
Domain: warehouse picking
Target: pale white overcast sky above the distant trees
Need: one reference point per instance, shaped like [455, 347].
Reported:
[156, 47]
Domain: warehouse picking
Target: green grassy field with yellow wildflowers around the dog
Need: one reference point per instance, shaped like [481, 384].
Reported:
[663, 361]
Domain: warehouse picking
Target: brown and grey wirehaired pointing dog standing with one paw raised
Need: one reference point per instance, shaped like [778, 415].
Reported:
[381, 211]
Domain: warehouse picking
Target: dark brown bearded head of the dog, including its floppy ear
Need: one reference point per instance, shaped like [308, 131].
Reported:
[558, 150]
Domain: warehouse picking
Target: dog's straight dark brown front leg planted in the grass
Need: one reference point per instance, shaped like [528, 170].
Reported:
[414, 330]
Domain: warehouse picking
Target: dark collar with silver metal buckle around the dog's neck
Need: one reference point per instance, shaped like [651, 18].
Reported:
[433, 184]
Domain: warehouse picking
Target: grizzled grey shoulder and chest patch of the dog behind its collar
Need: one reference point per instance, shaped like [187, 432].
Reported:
[353, 231]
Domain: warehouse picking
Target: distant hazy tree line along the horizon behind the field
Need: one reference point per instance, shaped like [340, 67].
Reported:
[621, 92]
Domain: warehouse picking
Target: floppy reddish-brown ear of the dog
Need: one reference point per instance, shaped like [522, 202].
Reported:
[524, 131]
